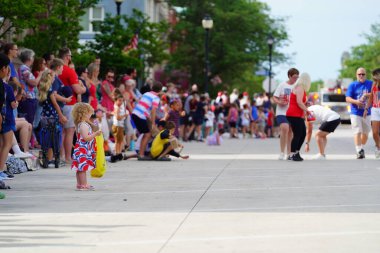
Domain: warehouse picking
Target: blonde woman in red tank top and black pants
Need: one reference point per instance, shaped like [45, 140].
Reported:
[296, 115]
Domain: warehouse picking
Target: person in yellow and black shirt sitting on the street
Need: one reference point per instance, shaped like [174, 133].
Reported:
[161, 146]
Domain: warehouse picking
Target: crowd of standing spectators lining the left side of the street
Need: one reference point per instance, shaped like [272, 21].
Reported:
[48, 86]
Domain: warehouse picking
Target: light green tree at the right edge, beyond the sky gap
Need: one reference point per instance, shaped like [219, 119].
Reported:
[366, 55]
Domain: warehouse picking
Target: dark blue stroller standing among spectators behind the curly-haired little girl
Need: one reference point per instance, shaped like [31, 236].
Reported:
[50, 137]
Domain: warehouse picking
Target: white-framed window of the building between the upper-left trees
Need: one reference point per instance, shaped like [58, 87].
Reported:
[91, 18]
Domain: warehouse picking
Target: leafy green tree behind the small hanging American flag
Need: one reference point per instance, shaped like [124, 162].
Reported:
[116, 32]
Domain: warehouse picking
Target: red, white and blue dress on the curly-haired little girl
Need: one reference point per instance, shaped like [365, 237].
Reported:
[84, 156]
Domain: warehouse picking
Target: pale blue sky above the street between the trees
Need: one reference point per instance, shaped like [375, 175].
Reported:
[321, 30]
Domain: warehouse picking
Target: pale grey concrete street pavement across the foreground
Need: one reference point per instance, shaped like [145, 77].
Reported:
[232, 198]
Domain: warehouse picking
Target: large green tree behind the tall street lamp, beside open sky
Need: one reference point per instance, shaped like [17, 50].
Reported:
[238, 40]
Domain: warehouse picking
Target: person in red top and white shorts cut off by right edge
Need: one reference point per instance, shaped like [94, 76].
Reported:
[374, 101]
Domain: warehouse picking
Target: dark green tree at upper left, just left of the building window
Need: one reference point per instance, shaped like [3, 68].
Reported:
[57, 25]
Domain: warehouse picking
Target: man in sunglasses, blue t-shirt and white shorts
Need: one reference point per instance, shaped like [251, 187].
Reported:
[357, 95]
